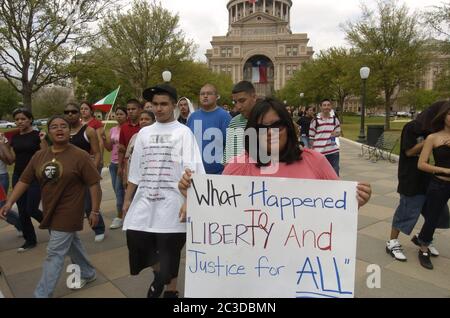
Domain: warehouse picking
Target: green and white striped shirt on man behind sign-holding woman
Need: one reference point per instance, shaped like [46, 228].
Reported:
[235, 138]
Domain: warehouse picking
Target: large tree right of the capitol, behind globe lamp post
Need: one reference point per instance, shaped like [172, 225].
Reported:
[390, 42]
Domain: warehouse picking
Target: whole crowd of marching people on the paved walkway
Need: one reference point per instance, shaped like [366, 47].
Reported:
[157, 146]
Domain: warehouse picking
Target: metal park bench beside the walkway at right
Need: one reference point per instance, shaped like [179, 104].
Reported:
[382, 149]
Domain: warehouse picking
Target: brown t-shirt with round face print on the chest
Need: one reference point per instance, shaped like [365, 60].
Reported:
[63, 178]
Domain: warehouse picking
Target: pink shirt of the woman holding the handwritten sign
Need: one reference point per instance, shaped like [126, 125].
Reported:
[312, 166]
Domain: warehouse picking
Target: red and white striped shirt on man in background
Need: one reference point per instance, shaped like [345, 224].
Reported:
[320, 134]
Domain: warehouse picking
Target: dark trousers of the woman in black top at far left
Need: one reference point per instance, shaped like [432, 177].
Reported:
[28, 205]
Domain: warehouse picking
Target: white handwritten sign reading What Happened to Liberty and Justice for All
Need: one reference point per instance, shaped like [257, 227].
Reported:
[253, 237]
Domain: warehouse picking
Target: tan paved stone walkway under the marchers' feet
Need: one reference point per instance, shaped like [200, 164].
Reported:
[21, 272]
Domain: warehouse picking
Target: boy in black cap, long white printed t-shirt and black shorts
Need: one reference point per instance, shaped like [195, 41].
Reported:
[155, 233]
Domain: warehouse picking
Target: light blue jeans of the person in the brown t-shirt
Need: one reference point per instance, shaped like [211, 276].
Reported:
[60, 245]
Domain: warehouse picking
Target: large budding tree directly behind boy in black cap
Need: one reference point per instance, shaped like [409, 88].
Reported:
[142, 42]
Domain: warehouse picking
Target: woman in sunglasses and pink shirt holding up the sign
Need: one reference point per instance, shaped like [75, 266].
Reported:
[275, 136]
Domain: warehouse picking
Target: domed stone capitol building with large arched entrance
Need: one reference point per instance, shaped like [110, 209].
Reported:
[259, 46]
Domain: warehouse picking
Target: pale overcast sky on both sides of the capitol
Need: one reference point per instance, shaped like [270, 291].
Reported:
[320, 19]
